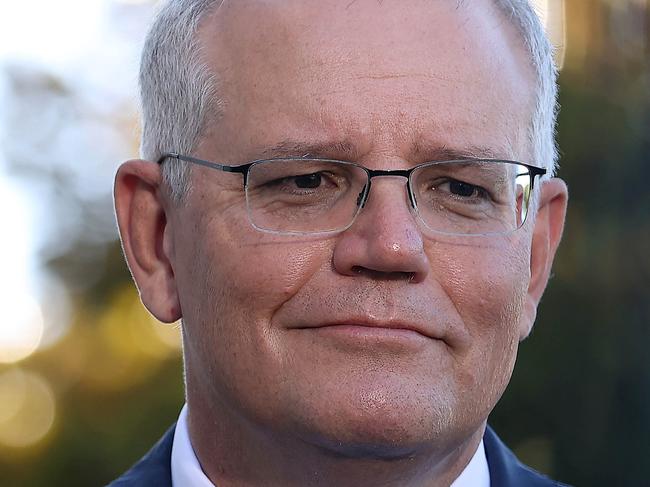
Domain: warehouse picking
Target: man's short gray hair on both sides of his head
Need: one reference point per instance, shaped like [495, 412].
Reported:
[178, 90]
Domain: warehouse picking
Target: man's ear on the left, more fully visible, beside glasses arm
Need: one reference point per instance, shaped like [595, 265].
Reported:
[145, 237]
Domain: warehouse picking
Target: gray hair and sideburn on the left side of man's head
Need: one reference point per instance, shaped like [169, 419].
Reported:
[178, 91]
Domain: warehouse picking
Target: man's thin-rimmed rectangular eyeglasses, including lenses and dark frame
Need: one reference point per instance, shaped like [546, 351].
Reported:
[304, 196]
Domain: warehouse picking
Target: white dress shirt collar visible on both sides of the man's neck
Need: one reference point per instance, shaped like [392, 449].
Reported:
[186, 470]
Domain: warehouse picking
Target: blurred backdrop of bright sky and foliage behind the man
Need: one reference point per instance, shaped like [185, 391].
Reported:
[89, 381]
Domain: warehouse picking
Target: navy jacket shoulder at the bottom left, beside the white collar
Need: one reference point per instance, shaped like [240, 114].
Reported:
[154, 469]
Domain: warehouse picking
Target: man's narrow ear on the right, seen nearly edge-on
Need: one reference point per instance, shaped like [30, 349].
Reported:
[547, 232]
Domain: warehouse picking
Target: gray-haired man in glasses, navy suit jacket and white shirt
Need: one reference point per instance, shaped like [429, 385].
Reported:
[351, 302]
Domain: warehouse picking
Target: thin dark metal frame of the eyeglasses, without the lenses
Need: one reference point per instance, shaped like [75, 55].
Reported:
[244, 170]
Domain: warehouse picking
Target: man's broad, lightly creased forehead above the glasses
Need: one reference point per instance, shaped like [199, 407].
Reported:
[399, 74]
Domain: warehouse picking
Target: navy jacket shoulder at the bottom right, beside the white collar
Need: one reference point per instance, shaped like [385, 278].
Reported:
[507, 471]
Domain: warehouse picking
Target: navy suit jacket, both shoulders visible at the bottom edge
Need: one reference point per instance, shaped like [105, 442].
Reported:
[505, 470]
